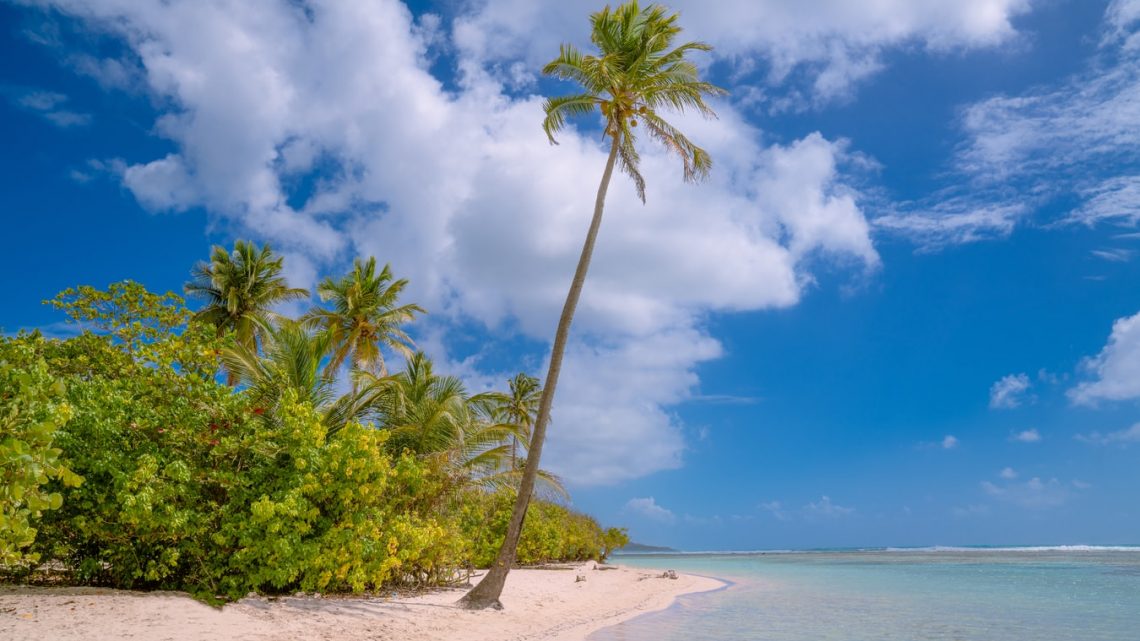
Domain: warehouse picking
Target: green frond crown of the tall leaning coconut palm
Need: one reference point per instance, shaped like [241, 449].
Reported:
[637, 72]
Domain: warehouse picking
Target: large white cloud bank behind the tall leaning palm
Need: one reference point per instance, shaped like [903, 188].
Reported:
[321, 128]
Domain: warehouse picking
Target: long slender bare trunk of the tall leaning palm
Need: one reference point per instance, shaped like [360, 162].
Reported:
[487, 594]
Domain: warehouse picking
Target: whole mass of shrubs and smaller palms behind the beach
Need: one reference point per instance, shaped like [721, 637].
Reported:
[237, 449]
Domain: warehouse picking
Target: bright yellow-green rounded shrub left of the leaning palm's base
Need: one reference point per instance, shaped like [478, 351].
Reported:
[329, 516]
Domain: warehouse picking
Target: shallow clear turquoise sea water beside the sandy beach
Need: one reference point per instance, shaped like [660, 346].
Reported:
[1014, 595]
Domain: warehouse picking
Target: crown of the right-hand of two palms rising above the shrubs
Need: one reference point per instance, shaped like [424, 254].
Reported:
[365, 317]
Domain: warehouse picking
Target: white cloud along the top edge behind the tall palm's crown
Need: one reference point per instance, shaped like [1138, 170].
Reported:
[832, 44]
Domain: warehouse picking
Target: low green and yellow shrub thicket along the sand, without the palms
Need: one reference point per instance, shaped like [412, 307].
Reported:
[191, 485]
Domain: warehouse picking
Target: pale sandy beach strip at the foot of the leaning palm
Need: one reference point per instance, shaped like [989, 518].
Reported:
[548, 605]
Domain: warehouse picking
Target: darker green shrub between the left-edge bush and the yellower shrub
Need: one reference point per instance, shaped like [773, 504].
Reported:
[144, 436]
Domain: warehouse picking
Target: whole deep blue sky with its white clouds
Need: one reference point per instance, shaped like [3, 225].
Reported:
[902, 312]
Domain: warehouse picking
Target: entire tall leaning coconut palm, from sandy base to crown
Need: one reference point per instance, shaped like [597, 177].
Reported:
[637, 72]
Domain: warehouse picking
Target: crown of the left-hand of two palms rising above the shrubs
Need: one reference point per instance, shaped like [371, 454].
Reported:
[240, 289]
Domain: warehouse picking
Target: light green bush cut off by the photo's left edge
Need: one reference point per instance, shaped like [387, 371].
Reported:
[31, 411]
